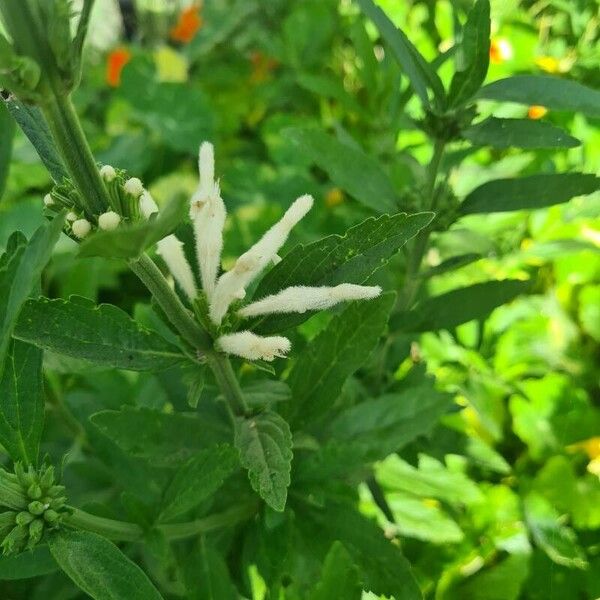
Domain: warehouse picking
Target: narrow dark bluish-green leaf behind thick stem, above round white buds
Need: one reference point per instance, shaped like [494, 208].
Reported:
[31, 121]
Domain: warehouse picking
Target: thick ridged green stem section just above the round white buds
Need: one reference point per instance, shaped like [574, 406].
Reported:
[72, 144]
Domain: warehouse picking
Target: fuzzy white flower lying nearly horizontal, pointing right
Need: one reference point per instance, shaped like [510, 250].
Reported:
[303, 298]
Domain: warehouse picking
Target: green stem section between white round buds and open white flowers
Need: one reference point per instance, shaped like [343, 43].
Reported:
[151, 276]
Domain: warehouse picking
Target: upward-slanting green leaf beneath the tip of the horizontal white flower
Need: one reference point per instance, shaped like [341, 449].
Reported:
[317, 376]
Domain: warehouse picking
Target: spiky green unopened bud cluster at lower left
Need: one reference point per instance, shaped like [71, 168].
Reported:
[36, 505]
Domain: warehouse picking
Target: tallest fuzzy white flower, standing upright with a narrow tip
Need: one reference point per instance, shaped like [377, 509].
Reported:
[208, 213]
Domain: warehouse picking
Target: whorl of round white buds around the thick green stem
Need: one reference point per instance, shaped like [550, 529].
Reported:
[129, 202]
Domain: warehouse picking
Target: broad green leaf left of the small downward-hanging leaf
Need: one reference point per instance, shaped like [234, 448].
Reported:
[164, 439]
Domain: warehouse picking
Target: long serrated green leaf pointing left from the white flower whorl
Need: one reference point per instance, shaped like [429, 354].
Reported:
[104, 334]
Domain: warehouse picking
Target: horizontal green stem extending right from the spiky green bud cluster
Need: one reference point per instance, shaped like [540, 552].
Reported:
[124, 531]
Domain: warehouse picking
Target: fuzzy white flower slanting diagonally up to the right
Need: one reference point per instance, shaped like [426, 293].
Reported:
[231, 285]
